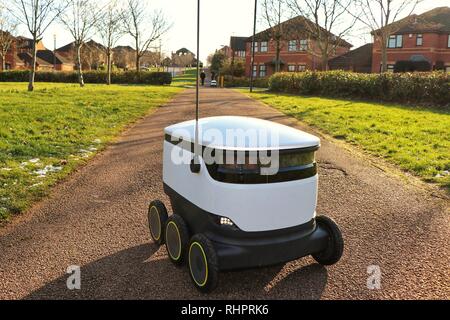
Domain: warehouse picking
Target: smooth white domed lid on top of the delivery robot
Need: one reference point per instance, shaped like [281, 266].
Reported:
[242, 134]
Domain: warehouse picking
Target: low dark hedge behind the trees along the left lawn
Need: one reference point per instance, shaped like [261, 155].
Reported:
[117, 77]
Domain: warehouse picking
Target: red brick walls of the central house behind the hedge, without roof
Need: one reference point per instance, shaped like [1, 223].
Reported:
[298, 58]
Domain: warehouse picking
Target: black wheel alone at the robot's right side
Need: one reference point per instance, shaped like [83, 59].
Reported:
[333, 253]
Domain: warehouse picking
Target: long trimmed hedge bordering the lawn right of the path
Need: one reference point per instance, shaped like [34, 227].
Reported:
[431, 88]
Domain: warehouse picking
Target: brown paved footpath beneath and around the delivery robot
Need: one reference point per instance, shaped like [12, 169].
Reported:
[97, 220]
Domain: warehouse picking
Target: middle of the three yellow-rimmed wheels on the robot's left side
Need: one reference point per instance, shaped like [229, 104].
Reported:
[177, 239]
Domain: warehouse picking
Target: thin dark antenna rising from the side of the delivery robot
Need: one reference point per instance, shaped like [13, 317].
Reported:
[195, 164]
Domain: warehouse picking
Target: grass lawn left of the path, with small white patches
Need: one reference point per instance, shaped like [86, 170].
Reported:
[44, 135]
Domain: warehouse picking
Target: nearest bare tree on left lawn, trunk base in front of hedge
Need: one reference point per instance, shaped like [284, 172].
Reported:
[37, 15]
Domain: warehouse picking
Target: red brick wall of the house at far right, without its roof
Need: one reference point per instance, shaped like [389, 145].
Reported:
[434, 48]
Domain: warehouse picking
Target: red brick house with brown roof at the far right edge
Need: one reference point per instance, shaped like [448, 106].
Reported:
[421, 38]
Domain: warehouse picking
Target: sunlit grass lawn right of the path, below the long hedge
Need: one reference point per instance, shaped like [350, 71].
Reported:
[415, 139]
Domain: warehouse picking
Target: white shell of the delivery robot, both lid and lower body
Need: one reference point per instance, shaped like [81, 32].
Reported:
[252, 207]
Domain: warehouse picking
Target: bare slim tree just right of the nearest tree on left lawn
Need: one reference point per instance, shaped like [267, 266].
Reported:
[79, 18]
